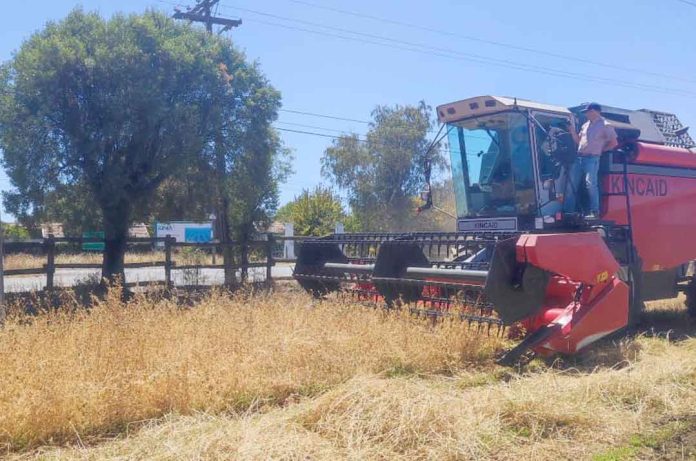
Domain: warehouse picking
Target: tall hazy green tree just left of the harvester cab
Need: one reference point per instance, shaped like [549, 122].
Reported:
[383, 173]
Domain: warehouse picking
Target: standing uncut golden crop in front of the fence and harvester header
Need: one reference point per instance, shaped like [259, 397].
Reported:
[75, 376]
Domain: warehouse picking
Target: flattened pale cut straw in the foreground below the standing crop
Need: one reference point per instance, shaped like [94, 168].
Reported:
[645, 409]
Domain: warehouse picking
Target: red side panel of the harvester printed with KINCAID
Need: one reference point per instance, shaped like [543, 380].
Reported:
[664, 216]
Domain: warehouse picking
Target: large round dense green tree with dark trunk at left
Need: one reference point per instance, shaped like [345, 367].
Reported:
[122, 109]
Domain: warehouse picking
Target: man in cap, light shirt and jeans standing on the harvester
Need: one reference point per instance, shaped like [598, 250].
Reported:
[595, 138]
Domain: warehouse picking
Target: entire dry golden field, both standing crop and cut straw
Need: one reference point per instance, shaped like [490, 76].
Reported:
[285, 377]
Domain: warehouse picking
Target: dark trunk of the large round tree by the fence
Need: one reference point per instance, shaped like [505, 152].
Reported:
[116, 220]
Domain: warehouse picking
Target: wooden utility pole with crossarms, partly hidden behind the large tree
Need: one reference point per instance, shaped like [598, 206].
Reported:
[203, 13]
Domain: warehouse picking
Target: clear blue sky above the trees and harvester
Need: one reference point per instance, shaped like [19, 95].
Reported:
[325, 74]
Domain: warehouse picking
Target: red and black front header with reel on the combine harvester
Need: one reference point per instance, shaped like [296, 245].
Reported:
[561, 289]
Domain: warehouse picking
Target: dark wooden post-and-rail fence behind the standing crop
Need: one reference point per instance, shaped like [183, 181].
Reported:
[249, 255]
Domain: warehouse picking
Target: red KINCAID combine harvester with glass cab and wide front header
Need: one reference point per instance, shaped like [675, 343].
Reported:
[562, 280]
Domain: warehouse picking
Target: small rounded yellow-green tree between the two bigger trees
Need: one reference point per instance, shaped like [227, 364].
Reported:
[314, 212]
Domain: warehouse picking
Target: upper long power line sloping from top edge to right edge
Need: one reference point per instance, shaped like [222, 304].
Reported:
[494, 42]
